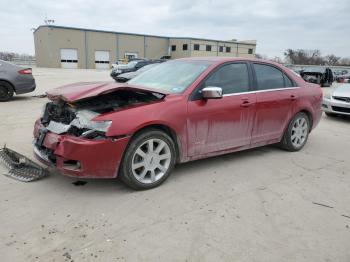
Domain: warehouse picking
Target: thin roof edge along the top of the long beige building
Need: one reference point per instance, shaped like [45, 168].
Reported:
[247, 42]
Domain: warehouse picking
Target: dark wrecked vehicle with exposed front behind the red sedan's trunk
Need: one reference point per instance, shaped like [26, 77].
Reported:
[318, 75]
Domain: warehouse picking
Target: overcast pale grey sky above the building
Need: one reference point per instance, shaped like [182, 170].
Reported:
[275, 24]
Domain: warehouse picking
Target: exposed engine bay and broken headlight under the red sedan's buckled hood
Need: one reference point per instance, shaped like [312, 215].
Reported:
[77, 118]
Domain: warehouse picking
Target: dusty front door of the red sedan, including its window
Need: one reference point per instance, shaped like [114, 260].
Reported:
[219, 124]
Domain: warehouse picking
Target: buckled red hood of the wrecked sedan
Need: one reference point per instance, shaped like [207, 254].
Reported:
[82, 90]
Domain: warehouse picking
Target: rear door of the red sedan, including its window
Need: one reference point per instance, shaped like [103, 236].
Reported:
[275, 99]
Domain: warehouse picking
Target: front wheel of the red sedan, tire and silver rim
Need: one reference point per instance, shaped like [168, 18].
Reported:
[139, 160]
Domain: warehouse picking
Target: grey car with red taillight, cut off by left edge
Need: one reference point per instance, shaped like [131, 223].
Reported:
[14, 79]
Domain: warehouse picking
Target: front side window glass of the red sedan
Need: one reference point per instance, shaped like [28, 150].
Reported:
[232, 78]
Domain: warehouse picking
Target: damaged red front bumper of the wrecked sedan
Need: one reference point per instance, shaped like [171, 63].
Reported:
[78, 157]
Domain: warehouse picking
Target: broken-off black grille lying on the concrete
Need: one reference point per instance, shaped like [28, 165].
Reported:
[20, 167]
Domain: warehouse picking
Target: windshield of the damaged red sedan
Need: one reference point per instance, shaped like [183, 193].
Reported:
[172, 76]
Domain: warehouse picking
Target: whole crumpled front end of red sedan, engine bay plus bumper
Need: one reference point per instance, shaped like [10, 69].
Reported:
[68, 137]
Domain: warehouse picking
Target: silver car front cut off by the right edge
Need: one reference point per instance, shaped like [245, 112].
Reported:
[337, 102]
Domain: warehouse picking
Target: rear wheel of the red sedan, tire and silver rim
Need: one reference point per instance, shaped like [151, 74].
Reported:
[297, 133]
